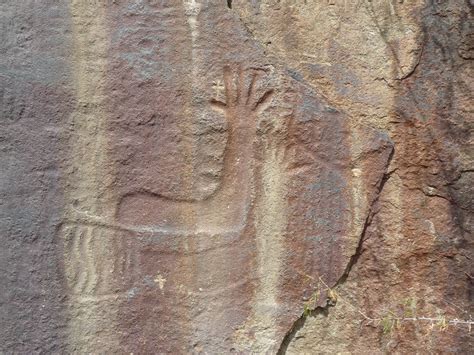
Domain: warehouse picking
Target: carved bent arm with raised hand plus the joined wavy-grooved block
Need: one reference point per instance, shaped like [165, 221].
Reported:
[102, 253]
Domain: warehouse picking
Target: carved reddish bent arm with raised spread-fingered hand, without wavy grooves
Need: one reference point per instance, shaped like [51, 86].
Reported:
[227, 207]
